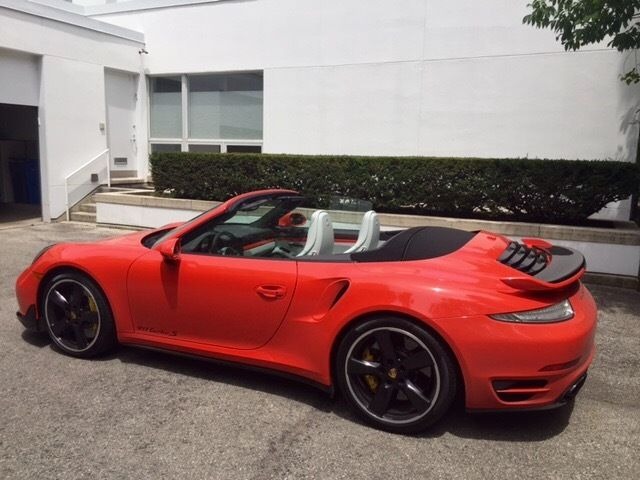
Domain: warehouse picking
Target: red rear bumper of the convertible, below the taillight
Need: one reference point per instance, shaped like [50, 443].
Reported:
[528, 366]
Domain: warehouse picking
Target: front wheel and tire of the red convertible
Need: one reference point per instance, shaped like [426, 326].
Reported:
[77, 316]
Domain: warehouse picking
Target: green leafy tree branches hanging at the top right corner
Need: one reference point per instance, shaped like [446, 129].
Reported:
[582, 22]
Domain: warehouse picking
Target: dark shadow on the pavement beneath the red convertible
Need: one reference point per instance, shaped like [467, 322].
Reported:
[533, 426]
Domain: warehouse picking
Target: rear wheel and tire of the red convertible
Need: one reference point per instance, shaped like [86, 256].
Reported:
[395, 375]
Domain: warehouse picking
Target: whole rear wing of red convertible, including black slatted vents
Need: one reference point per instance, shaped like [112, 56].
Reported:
[542, 266]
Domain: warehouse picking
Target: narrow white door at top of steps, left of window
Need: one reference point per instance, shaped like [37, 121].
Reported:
[121, 92]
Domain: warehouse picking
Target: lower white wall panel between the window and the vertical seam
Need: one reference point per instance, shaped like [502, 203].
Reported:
[343, 110]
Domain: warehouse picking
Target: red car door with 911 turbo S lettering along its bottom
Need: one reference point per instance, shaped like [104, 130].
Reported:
[225, 301]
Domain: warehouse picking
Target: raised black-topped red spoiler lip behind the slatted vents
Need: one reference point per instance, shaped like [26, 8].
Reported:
[565, 266]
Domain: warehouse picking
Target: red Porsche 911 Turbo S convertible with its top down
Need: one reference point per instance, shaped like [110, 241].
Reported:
[399, 322]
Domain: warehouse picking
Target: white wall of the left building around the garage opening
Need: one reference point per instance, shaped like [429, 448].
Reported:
[67, 82]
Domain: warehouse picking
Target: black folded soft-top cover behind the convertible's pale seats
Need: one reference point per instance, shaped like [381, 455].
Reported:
[419, 243]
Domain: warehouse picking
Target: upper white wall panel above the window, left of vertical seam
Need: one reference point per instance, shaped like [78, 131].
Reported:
[276, 33]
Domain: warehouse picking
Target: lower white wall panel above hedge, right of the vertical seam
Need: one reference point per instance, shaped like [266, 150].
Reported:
[538, 106]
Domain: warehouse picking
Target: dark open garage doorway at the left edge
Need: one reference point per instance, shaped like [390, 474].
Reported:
[19, 164]
